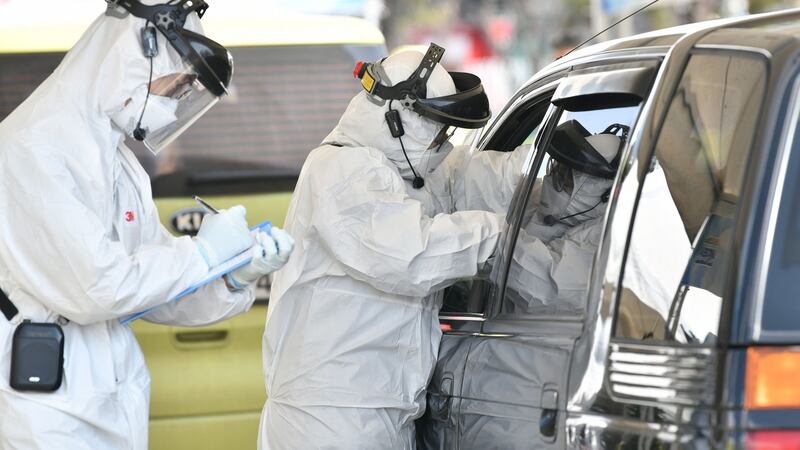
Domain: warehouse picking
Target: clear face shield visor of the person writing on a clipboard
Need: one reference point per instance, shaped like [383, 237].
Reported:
[176, 101]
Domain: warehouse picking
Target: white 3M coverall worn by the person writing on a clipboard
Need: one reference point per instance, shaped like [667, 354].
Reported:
[80, 238]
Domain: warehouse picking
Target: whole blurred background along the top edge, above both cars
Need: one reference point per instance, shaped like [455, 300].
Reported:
[504, 41]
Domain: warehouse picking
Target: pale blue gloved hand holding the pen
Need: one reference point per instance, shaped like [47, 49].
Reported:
[224, 235]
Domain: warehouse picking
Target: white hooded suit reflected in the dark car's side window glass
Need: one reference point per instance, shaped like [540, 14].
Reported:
[556, 245]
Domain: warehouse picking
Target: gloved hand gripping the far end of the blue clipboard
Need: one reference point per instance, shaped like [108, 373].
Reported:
[269, 255]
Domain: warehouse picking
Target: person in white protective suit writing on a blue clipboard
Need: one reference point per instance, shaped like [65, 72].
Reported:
[81, 244]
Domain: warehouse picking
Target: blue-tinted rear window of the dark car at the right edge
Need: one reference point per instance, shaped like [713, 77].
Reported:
[781, 307]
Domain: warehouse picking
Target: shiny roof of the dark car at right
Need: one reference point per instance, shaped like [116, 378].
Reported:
[785, 22]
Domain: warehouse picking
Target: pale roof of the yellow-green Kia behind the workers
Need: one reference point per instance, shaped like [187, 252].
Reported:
[230, 30]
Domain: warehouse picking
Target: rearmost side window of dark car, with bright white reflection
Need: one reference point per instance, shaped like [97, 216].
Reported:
[678, 263]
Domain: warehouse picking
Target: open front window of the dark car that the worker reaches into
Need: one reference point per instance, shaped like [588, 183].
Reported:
[520, 128]
